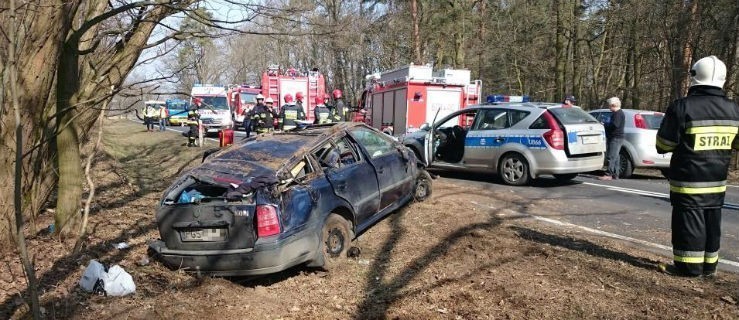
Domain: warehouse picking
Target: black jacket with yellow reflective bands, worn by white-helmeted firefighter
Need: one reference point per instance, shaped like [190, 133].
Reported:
[700, 130]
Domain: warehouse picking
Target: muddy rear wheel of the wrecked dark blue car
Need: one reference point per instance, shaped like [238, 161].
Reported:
[336, 238]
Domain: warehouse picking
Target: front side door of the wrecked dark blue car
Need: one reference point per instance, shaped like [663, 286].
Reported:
[389, 163]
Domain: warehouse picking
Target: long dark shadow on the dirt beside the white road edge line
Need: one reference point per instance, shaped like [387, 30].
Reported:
[584, 246]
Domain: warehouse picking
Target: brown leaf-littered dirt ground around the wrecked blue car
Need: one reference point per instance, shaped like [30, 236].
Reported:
[466, 253]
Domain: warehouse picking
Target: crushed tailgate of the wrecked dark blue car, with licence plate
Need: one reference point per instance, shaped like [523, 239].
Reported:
[212, 209]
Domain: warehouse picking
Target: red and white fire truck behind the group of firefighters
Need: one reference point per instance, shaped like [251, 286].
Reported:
[276, 83]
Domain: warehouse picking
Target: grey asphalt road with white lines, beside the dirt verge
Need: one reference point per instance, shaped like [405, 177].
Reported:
[636, 210]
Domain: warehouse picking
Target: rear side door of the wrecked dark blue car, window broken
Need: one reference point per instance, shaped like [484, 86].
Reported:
[351, 176]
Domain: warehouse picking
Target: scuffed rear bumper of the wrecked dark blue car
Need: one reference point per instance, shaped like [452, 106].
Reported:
[266, 257]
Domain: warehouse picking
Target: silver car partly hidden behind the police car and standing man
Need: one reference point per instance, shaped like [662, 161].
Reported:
[640, 134]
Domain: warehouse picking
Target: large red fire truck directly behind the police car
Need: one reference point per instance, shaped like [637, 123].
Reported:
[401, 100]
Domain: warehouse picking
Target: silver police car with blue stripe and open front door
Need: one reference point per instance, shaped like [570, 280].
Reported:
[517, 141]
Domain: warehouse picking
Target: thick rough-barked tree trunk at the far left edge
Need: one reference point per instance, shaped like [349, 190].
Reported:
[38, 47]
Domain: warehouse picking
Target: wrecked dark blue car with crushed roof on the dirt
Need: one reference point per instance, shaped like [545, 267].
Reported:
[280, 200]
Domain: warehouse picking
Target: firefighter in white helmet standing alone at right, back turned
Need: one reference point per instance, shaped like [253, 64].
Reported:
[700, 130]
